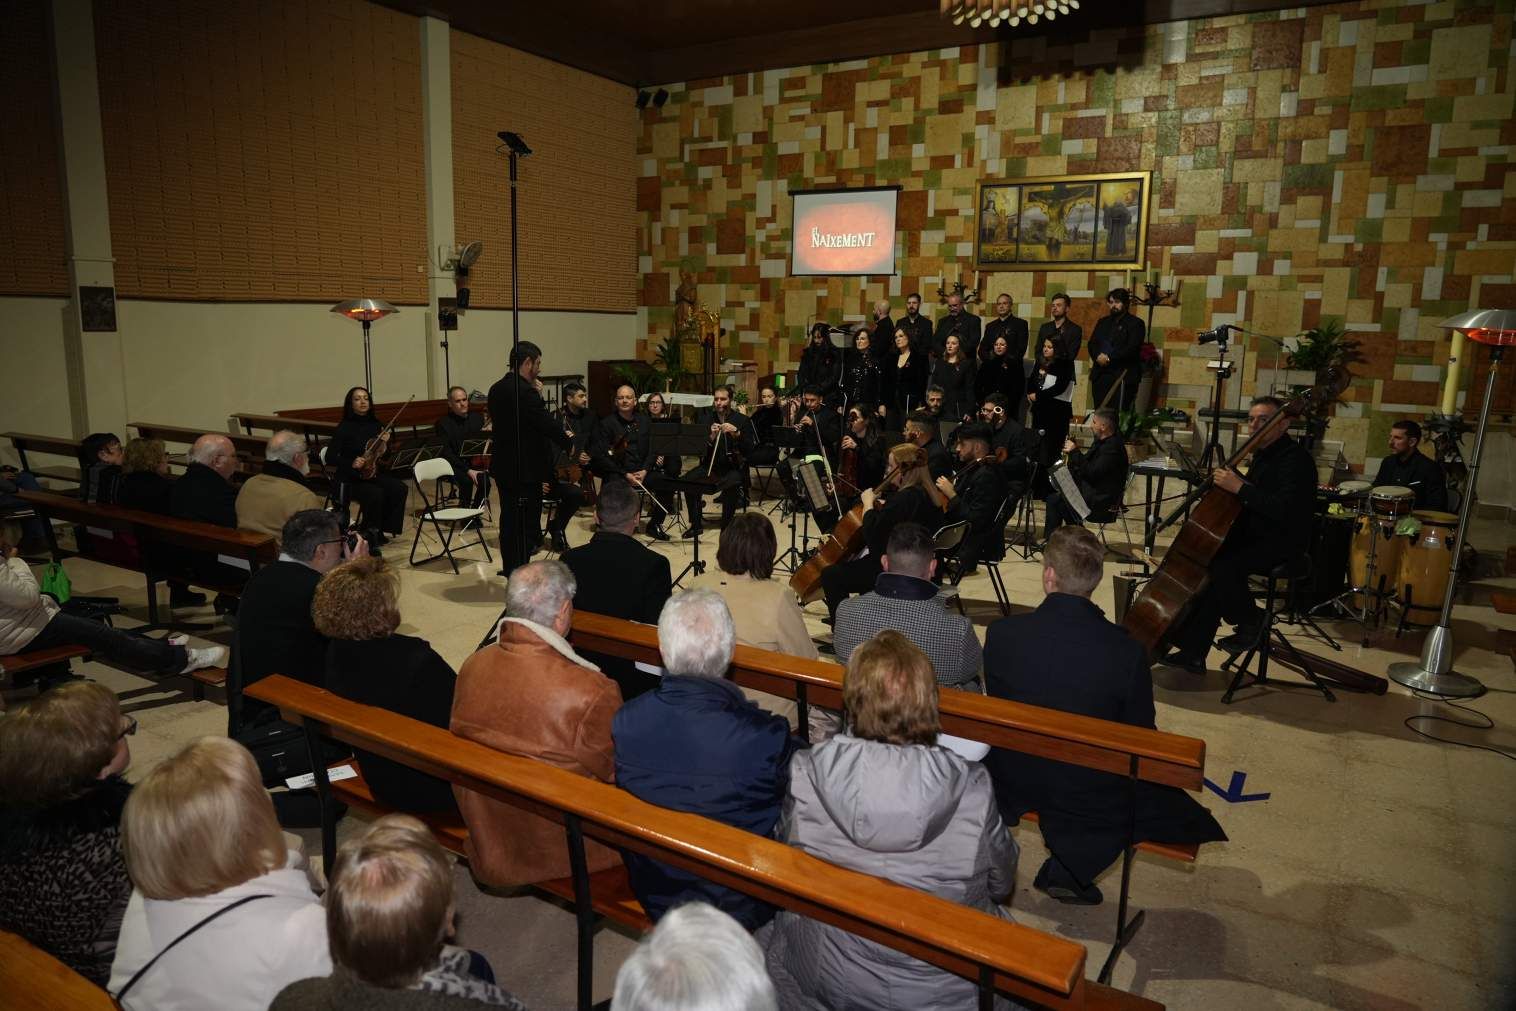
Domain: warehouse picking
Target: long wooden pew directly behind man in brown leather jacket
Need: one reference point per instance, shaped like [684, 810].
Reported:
[998, 956]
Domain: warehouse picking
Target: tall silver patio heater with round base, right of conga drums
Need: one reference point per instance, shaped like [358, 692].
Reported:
[1435, 674]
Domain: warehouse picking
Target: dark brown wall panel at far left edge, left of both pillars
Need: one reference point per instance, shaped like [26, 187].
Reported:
[33, 255]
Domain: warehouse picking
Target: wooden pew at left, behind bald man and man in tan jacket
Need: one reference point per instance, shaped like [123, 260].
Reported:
[151, 531]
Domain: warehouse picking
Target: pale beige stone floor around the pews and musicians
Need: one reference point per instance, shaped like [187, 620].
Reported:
[1380, 872]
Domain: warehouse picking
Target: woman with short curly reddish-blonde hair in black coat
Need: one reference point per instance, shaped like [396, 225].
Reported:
[357, 609]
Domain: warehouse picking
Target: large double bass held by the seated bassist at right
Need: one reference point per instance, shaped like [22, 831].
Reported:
[1185, 571]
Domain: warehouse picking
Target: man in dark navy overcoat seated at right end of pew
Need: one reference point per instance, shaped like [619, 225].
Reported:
[1065, 656]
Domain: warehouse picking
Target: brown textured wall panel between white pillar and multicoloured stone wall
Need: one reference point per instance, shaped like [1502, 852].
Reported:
[577, 190]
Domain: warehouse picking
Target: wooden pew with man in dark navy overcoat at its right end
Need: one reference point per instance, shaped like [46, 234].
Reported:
[1115, 748]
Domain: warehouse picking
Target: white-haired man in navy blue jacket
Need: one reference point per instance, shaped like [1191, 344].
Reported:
[698, 745]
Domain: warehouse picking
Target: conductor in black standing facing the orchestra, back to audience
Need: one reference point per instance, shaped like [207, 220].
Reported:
[522, 465]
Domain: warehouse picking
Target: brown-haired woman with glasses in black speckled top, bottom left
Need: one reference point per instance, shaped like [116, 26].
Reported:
[63, 880]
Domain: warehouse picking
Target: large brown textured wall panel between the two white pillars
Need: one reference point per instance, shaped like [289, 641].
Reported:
[263, 152]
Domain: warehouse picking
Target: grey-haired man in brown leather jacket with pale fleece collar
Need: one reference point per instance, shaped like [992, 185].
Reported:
[528, 693]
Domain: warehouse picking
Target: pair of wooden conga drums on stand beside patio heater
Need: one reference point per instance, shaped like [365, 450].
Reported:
[1400, 559]
